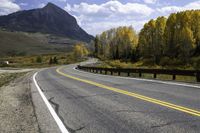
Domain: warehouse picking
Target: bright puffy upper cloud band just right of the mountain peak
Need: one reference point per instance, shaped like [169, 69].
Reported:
[110, 8]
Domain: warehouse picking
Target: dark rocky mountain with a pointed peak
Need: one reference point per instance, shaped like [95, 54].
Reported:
[49, 20]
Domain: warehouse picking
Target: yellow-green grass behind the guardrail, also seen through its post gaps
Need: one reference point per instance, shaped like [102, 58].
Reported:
[142, 64]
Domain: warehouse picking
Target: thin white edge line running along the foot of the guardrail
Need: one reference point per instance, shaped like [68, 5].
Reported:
[149, 80]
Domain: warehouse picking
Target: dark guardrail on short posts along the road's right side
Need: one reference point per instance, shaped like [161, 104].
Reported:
[155, 72]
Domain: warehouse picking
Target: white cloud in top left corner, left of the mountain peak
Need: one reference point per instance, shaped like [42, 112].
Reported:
[8, 6]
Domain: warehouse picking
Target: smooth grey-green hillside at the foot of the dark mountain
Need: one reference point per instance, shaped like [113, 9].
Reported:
[21, 43]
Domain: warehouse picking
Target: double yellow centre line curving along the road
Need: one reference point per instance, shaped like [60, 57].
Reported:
[142, 97]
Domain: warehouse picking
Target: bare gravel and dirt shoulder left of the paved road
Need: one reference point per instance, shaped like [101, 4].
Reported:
[16, 108]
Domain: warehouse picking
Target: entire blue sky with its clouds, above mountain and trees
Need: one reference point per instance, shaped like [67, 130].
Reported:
[96, 16]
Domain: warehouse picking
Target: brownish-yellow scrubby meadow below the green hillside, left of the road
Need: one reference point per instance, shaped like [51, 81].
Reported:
[40, 61]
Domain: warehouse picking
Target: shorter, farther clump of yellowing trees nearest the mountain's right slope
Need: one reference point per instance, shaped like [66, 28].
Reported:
[116, 43]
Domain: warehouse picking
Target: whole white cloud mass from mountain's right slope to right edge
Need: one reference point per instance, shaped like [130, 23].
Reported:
[95, 18]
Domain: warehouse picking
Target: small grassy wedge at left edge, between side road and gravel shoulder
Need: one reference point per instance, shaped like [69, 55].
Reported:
[5, 78]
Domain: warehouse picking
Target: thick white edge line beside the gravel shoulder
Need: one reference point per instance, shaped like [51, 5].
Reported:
[53, 113]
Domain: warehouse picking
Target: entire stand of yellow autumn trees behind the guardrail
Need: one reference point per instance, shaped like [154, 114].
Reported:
[174, 38]
